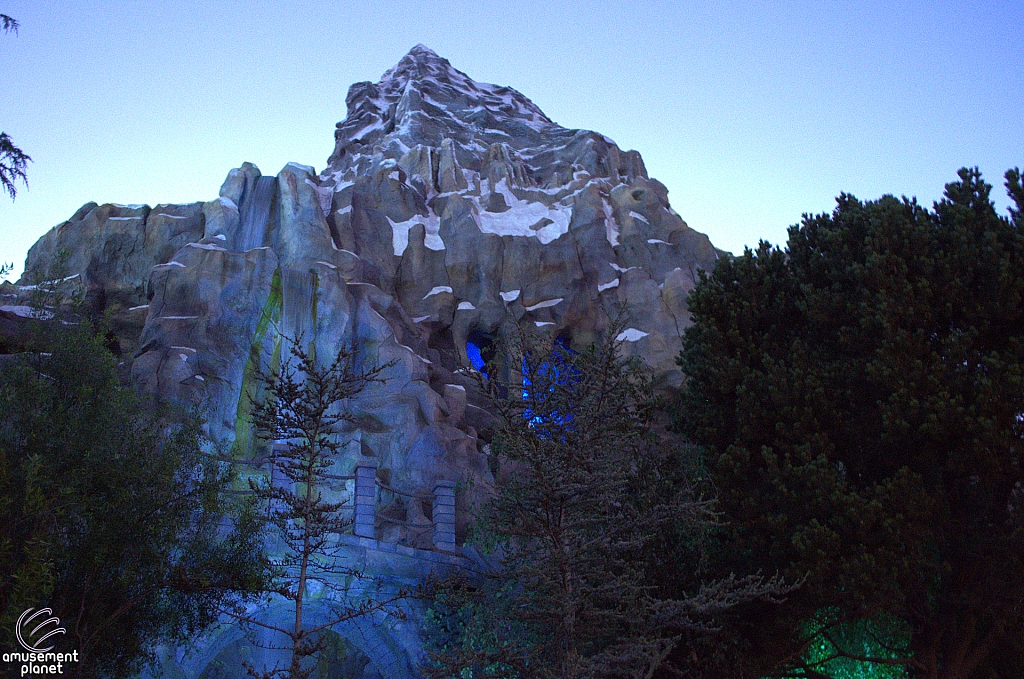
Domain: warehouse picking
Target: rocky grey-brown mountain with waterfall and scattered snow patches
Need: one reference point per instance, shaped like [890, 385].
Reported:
[450, 211]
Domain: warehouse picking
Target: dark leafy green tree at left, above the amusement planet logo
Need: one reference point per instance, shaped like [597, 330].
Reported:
[111, 514]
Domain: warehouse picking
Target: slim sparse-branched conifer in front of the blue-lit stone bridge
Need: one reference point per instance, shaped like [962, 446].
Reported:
[305, 408]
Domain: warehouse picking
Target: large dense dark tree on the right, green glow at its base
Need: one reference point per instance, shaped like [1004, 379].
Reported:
[861, 399]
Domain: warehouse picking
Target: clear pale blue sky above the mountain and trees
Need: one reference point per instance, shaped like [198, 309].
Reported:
[752, 114]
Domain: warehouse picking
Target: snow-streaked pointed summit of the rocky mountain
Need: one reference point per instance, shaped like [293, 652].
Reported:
[423, 101]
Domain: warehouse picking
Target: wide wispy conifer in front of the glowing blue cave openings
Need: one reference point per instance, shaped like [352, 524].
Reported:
[581, 501]
